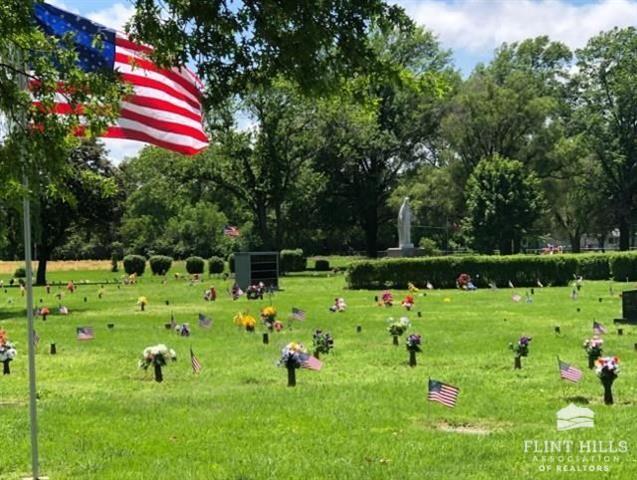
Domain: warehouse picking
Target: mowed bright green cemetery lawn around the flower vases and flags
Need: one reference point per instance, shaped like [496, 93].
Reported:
[364, 416]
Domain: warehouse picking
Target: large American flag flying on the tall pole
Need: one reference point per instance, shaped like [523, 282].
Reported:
[164, 108]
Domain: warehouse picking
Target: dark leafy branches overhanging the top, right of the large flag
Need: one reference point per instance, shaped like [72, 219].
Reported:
[243, 45]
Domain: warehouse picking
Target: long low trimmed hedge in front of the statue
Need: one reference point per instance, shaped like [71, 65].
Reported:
[521, 270]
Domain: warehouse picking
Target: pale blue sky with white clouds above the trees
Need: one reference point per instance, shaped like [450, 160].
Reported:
[472, 29]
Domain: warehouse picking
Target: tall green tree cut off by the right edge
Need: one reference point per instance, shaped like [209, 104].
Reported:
[608, 116]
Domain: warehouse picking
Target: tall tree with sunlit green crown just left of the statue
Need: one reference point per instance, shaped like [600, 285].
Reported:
[382, 126]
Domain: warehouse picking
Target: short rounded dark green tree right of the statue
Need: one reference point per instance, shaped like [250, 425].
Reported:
[503, 202]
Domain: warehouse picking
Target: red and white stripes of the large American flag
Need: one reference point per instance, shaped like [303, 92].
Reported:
[165, 106]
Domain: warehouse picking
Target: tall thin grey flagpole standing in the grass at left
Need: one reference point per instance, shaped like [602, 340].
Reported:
[33, 413]
